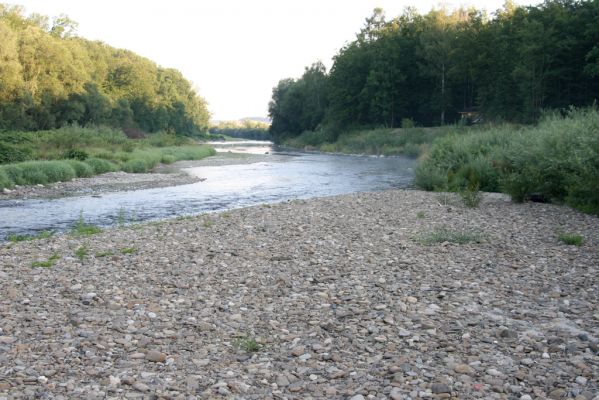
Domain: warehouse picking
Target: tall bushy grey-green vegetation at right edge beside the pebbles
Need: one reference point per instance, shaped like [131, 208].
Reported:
[557, 160]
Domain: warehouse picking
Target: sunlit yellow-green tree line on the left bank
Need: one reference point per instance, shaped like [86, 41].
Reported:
[49, 78]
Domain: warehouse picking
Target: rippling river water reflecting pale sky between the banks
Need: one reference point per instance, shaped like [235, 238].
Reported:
[290, 175]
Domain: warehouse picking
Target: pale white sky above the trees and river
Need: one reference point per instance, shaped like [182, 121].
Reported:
[234, 51]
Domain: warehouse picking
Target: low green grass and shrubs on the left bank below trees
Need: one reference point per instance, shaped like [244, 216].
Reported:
[42, 157]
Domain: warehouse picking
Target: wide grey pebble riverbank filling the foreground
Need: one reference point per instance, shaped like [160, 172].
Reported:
[356, 296]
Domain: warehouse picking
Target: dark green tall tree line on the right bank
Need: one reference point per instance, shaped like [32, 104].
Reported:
[432, 69]
